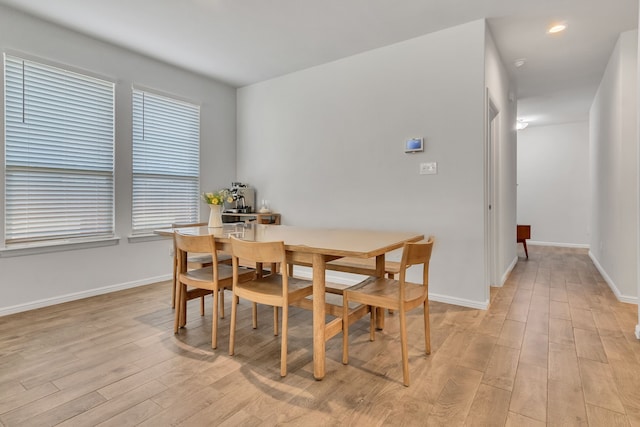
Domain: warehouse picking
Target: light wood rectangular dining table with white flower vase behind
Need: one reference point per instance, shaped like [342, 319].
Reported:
[315, 246]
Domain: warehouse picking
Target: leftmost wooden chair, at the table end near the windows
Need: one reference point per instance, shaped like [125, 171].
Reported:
[212, 279]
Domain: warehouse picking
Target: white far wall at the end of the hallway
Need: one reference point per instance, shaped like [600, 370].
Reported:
[553, 183]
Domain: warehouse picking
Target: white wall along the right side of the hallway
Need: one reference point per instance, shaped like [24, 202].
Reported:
[614, 183]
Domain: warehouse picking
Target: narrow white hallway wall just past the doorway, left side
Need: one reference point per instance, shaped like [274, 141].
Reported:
[505, 160]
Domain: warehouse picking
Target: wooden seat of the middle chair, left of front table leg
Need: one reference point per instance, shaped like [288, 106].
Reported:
[270, 287]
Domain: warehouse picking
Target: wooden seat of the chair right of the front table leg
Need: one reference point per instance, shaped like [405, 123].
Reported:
[383, 292]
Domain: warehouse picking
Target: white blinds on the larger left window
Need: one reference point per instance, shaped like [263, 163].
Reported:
[59, 154]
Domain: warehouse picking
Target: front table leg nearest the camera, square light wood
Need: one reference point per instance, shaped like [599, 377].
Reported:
[319, 315]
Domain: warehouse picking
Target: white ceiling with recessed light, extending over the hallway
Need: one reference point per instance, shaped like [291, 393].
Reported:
[241, 42]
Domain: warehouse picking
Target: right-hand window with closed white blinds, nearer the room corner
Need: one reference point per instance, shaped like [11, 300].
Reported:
[166, 153]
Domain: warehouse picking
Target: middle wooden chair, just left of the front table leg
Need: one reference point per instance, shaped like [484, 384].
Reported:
[277, 290]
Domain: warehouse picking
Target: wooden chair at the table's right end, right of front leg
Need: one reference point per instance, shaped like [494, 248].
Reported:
[398, 295]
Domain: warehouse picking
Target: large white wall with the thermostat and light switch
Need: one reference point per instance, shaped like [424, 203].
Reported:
[325, 146]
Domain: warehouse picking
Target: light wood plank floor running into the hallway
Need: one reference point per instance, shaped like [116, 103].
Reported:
[555, 347]
